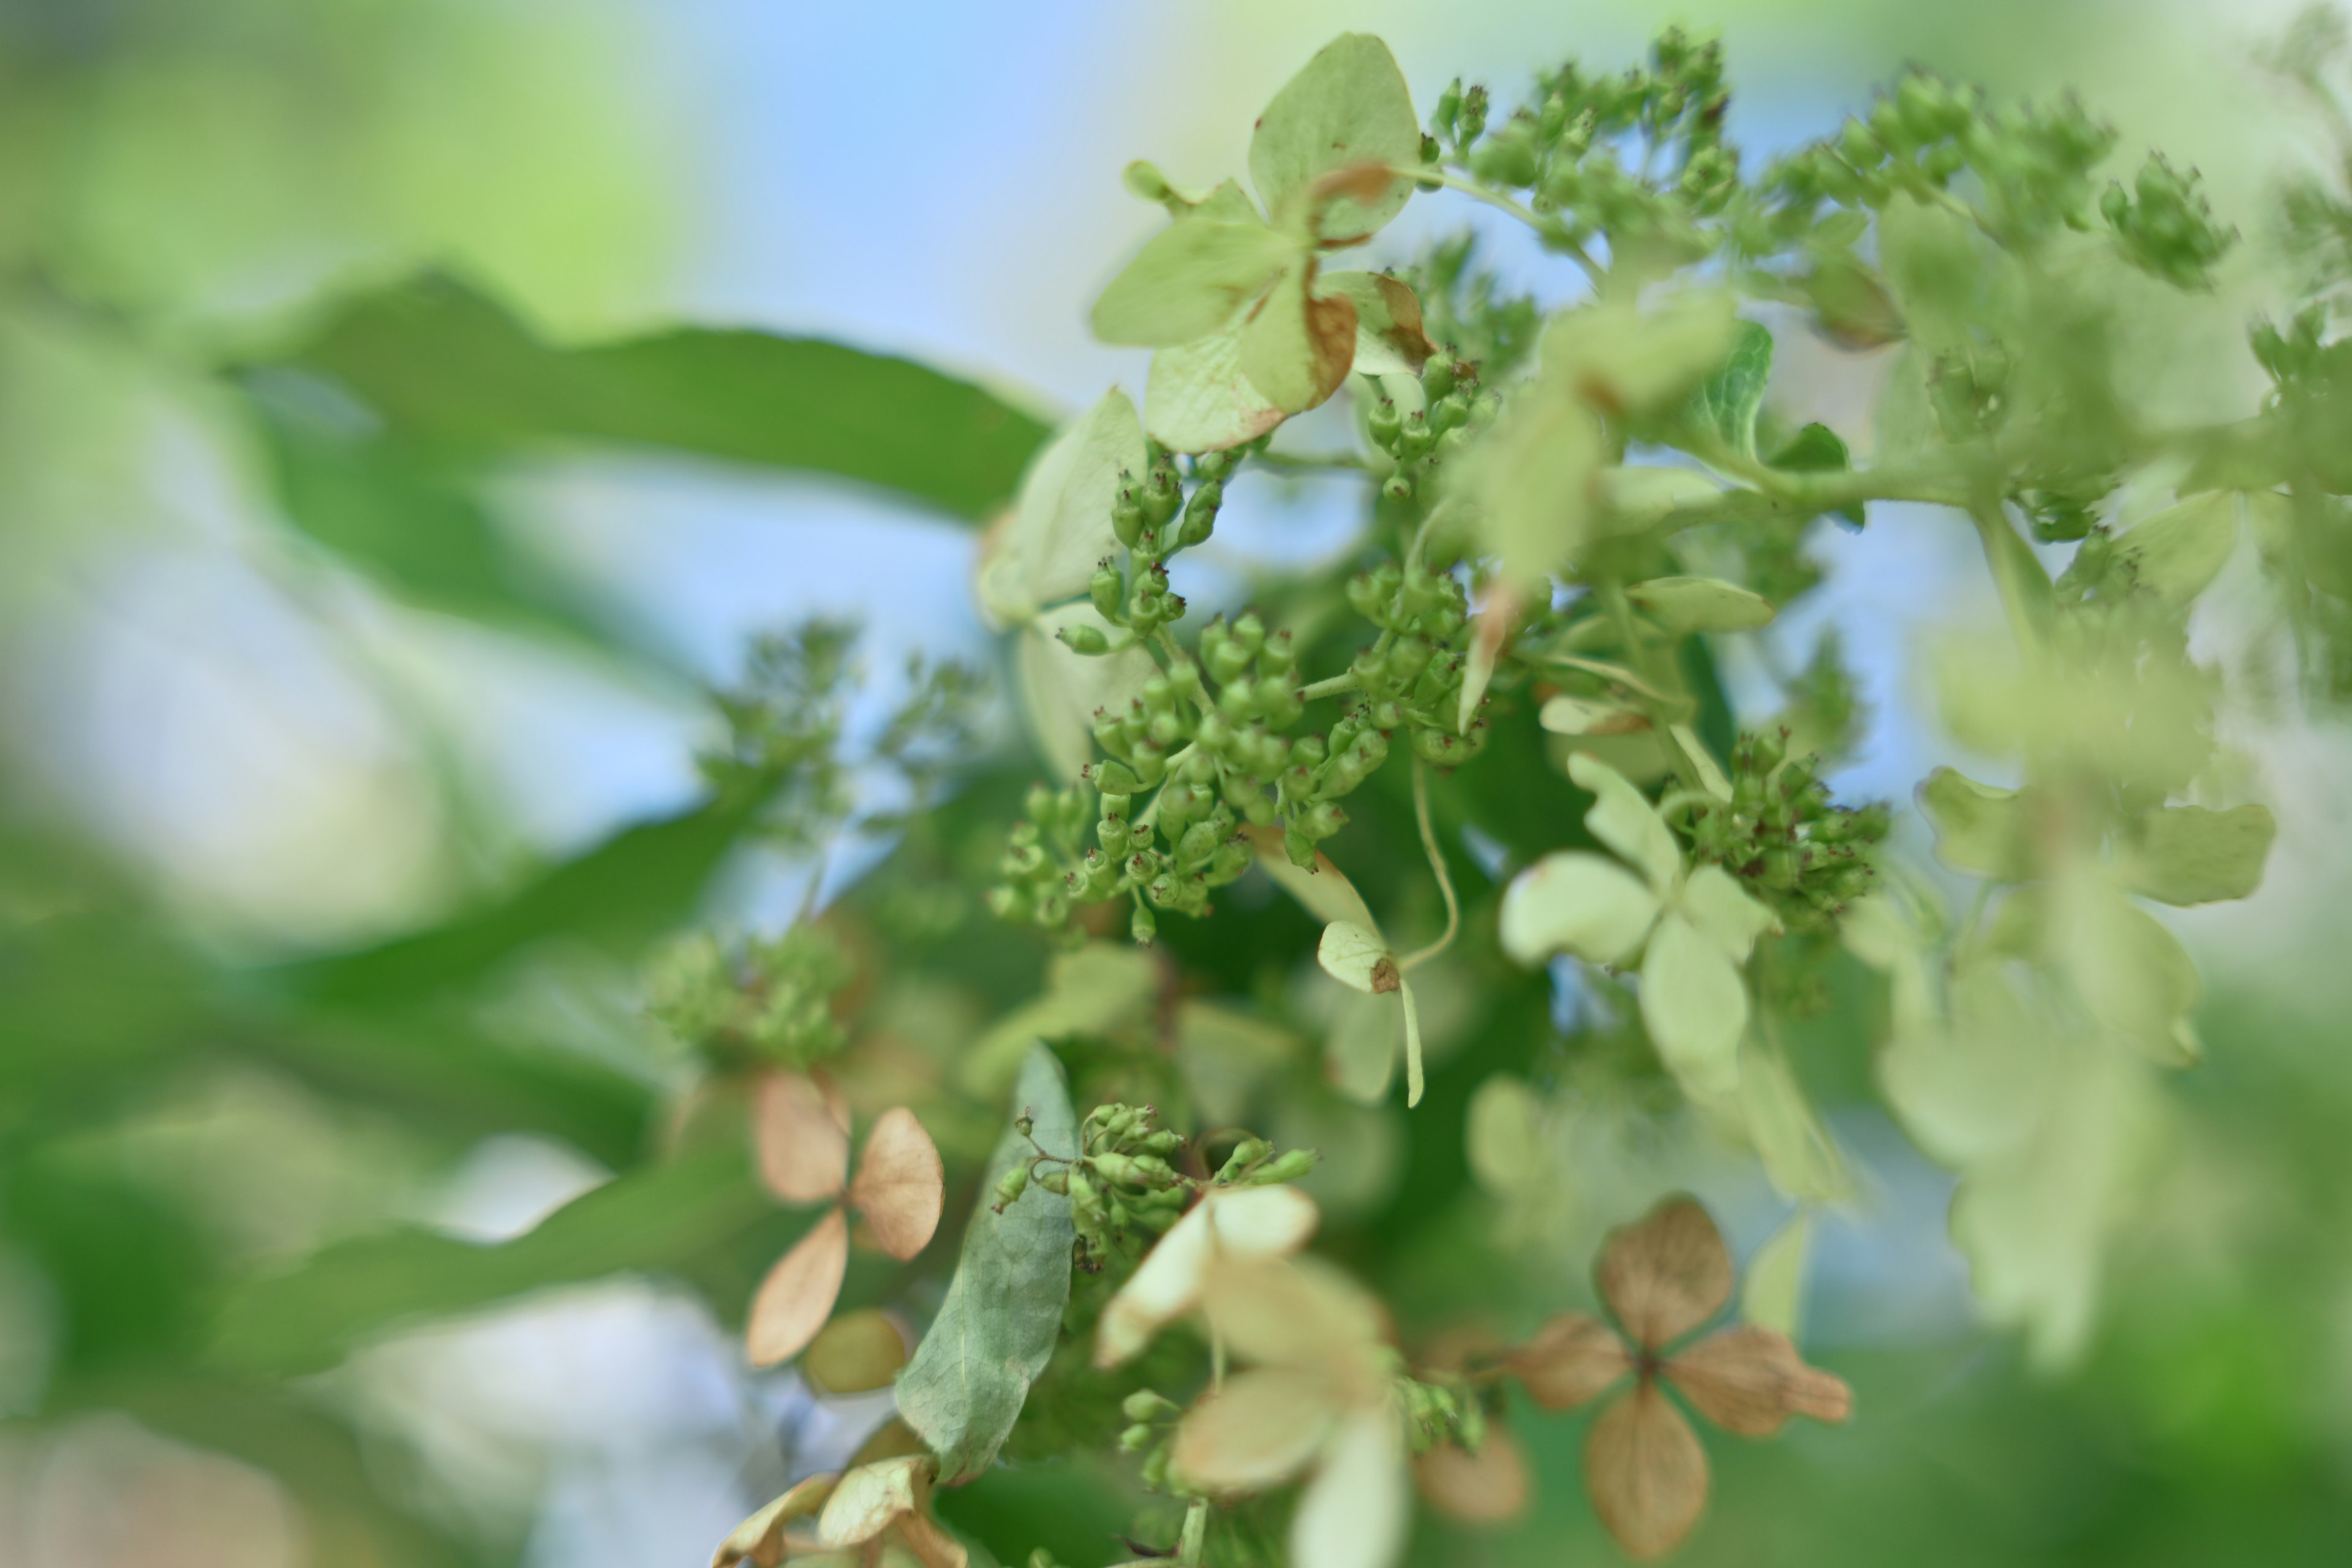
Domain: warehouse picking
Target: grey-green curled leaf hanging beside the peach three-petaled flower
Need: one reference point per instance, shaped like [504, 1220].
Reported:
[1003, 1315]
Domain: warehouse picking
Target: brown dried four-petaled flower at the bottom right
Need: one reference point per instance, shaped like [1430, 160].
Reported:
[1664, 1280]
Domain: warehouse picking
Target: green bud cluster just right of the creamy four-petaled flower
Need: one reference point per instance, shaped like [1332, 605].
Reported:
[1784, 840]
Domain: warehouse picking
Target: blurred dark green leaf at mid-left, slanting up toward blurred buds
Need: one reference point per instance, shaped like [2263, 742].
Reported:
[622, 894]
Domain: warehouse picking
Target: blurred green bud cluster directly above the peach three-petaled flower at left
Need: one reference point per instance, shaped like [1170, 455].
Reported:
[763, 1003]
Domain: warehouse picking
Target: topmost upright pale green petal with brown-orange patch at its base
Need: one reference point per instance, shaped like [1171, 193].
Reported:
[1347, 109]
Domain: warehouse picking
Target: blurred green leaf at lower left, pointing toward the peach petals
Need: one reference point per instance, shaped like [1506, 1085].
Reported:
[653, 1219]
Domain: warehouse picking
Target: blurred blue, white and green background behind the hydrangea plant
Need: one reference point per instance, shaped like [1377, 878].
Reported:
[267, 753]
